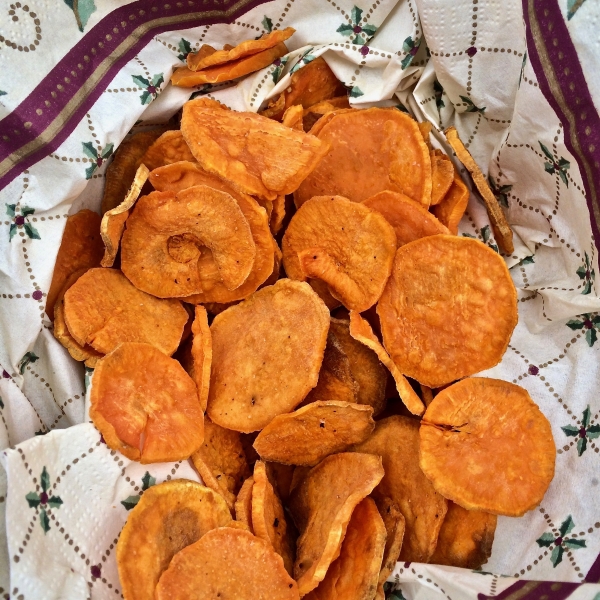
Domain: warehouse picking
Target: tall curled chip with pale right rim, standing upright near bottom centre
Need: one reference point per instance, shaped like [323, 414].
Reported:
[321, 507]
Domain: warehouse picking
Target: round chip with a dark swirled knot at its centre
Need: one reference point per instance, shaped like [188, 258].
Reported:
[161, 245]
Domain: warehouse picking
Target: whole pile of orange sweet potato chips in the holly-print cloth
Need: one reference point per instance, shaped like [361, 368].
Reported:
[295, 314]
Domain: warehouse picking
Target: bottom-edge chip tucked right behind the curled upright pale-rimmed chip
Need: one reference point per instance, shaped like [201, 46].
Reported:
[354, 573]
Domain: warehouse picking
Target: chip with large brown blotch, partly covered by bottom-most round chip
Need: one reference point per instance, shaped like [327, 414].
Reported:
[168, 517]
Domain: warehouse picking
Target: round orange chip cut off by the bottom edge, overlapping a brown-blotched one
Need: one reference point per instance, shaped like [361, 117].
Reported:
[227, 563]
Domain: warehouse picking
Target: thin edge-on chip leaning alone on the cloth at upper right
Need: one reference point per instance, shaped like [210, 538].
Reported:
[500, 226]
